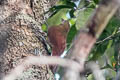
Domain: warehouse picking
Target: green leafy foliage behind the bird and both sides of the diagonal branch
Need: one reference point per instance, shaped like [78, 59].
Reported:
[107, 48]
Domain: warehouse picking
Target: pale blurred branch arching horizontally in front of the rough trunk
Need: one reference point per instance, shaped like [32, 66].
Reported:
[35, 60]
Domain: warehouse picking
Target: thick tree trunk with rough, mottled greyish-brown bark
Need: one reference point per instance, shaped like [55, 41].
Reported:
[20, 27]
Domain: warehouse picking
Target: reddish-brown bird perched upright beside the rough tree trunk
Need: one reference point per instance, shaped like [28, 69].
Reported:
[57, 36]
